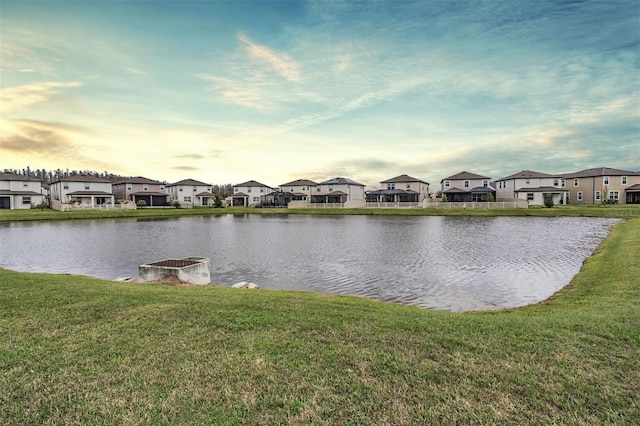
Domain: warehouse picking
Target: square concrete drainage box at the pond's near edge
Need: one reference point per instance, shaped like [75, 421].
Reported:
[193, 270]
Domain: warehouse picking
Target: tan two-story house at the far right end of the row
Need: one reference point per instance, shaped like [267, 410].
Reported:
[593, 186]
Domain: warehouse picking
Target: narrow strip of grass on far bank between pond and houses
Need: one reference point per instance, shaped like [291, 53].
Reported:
[620, 211]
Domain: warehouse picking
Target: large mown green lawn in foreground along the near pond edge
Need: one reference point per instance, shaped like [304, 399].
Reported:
[78, 350]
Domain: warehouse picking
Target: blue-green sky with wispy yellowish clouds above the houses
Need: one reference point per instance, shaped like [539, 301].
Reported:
[273, 91]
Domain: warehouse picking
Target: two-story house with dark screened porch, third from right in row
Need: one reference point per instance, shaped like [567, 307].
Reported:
[467, 187]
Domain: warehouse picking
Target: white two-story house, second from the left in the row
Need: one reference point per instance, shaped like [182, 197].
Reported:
[84, 191]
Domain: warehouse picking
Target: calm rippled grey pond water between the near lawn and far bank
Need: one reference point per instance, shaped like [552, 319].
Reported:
[449, 263]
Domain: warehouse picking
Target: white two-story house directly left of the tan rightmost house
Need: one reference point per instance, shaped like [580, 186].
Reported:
[531, 186]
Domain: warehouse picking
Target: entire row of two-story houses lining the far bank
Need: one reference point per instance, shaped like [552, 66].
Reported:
[463, 189]
